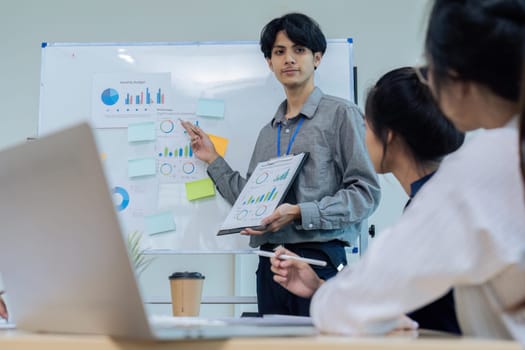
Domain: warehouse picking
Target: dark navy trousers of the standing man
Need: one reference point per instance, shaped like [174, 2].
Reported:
[274, 299]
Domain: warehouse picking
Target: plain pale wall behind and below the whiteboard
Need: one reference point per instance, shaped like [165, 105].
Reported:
[386, 34]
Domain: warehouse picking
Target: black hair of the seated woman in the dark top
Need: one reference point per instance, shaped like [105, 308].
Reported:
[400, 103]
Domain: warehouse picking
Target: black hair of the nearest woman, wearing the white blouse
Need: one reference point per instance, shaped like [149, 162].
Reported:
[479, 41]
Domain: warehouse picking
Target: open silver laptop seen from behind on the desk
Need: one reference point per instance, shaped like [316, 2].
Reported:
[63, 258]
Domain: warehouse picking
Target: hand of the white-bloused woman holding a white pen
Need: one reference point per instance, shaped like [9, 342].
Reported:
[296, 276]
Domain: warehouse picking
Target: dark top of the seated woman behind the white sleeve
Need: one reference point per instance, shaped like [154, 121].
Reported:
[439, 315]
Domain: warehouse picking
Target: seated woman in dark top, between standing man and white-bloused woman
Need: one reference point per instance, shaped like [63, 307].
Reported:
[407, 135]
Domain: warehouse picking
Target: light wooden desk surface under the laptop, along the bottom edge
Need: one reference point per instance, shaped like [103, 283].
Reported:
[14, 339]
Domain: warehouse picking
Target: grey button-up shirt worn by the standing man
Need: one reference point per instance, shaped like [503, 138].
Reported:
[336, 189]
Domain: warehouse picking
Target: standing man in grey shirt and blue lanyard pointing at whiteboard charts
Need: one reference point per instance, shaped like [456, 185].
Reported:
[337, 187]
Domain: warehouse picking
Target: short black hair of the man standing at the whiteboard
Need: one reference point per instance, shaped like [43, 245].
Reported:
[301, 29]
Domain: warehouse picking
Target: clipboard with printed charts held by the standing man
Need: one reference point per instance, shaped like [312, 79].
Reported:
[265, 190]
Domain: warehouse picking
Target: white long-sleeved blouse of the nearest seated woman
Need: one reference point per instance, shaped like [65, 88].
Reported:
[464, 229]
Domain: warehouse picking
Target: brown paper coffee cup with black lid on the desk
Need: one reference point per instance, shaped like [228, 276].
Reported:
[186, 293]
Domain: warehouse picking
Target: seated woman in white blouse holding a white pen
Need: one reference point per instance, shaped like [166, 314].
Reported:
[465, 229]
